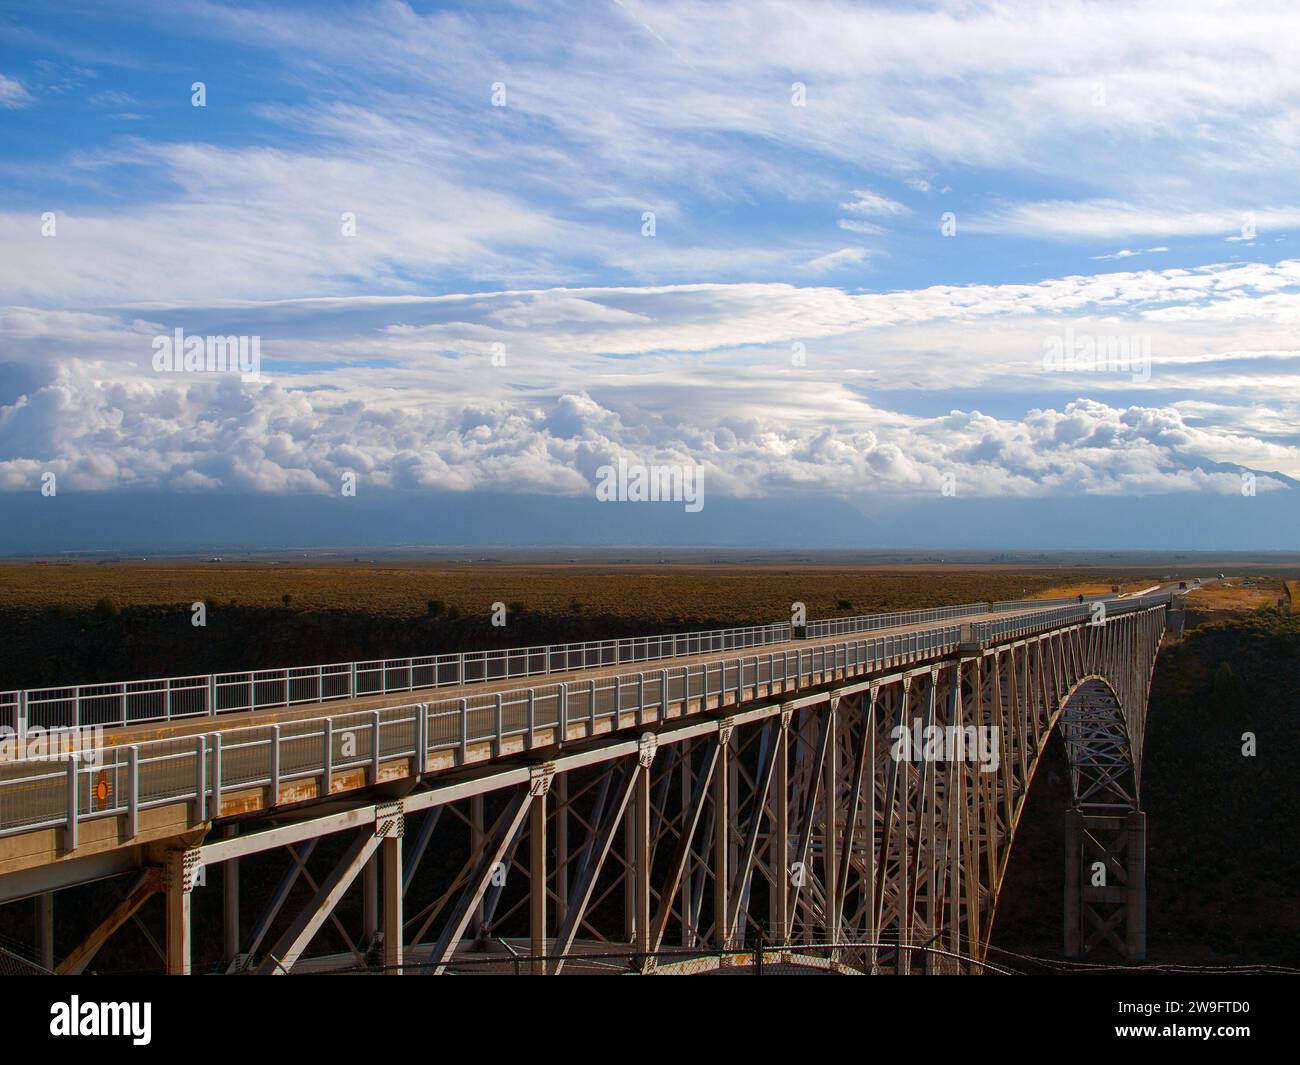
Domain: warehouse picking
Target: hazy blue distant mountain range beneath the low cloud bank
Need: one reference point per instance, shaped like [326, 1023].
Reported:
[118, 522]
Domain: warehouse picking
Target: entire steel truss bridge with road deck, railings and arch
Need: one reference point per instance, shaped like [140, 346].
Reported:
[700, 803]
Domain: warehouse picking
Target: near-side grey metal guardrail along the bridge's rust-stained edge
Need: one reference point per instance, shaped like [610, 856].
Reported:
[201, 769]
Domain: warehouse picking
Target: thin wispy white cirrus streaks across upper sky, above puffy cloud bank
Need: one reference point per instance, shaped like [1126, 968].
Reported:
[603, 122]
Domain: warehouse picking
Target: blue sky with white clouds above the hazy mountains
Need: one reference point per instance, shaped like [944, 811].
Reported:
[1108, 172]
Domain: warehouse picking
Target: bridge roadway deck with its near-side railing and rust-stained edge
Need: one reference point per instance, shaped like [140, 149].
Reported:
[157, 782]
